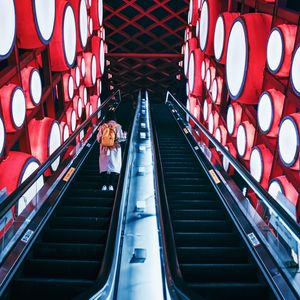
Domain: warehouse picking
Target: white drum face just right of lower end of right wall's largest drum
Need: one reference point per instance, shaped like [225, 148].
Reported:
[265, 113]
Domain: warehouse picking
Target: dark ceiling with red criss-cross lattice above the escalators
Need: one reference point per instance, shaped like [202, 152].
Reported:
[144, 40]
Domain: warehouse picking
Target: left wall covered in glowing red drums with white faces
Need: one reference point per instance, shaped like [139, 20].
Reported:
[52, 60]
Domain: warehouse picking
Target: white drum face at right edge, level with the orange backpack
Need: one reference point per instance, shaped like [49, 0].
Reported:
[288, 141]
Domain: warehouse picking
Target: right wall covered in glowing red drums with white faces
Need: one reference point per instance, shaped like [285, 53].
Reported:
[242, 67]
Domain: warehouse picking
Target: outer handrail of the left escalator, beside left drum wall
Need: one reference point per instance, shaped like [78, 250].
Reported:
[13, 198]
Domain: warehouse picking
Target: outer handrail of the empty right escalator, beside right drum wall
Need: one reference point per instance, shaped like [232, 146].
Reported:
[260, 192]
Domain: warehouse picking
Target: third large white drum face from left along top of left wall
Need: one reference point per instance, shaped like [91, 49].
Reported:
[69, 35]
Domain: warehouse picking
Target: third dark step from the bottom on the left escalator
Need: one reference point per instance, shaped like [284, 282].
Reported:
[69, 251]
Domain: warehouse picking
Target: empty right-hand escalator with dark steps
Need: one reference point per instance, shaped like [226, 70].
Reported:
[211, 259]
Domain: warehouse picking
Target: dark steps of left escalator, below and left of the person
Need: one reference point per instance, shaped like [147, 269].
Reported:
[67, 256]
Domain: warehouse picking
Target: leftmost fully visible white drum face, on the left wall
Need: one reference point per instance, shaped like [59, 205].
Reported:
[18, 107]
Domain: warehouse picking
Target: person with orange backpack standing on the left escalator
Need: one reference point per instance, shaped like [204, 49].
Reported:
[110, 135]
